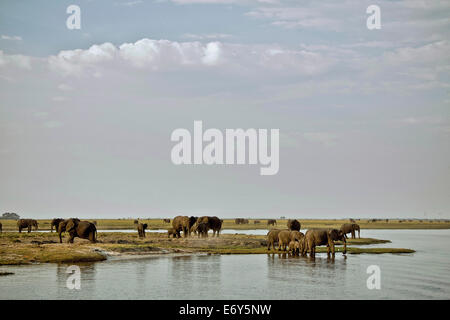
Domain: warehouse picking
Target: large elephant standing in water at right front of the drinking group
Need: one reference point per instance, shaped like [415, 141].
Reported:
[319, 237]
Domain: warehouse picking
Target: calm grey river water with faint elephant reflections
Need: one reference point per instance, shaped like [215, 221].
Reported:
[422, 275]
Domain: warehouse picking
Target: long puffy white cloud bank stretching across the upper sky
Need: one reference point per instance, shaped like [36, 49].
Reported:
[172, 55]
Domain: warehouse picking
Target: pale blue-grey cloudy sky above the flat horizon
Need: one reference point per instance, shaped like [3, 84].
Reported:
[86, 115]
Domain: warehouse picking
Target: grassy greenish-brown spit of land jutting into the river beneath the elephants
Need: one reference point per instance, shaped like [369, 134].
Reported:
[25, 248]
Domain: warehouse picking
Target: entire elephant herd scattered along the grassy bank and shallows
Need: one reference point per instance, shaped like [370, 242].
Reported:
[290, 239]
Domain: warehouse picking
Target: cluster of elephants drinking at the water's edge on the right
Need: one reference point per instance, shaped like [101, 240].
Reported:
[297, 243]
